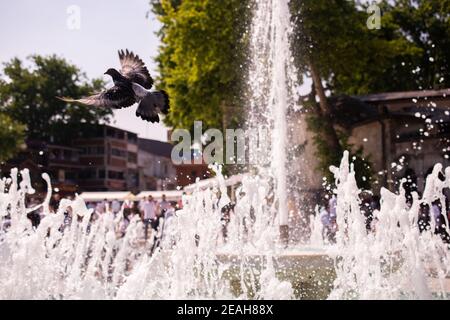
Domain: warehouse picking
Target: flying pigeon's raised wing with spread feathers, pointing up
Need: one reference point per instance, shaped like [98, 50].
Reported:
[134, 69]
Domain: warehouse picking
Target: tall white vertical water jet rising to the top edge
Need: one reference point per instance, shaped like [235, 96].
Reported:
[273, 81]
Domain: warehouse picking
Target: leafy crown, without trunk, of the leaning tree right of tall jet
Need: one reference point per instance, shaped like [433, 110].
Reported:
[333, 41]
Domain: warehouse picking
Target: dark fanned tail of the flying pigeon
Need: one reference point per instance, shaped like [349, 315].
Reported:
[152, 104]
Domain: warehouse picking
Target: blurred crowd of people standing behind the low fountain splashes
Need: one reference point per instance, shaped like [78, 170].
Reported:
[152, 212]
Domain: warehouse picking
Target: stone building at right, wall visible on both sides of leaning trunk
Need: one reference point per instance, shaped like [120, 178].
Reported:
[403, 134]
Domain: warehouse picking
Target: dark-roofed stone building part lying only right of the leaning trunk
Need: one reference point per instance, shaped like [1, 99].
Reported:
[409, 134]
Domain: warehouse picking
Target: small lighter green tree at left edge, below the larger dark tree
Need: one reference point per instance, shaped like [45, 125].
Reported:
[12, 134]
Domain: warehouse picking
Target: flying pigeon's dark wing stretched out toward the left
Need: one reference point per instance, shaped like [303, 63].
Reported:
[114, 97]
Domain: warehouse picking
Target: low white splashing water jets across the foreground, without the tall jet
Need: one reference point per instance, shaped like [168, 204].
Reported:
[87, 259]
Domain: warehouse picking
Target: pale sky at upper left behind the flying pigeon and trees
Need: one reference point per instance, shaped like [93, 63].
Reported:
[88, 34]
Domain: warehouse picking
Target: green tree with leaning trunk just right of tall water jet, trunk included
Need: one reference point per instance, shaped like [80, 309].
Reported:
[334, 47]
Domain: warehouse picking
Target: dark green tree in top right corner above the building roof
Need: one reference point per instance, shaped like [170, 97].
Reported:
[425, 24]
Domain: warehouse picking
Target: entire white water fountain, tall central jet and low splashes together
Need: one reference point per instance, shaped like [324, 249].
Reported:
[86, 259]
